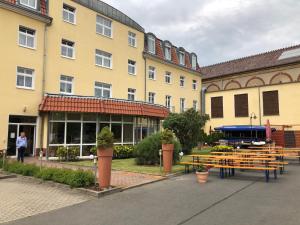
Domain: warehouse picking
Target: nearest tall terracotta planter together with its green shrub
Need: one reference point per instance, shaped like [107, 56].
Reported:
[105, 143]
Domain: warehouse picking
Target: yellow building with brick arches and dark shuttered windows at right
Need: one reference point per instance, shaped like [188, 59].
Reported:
[254, 89]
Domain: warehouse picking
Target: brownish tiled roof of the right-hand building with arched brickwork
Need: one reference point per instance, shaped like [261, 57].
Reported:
[250, 63]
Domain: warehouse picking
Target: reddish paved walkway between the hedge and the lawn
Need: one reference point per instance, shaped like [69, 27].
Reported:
[119, 178]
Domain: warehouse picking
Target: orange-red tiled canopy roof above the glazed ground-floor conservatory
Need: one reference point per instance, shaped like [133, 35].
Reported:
[63, 103]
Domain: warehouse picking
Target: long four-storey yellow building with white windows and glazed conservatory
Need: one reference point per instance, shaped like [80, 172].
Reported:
[73, 66]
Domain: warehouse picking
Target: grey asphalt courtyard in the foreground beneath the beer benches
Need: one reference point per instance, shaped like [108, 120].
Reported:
[244, 200]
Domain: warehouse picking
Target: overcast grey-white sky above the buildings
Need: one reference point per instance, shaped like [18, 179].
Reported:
[218, 30]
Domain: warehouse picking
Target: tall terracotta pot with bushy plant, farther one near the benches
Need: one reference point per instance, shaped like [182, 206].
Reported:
[167, 139]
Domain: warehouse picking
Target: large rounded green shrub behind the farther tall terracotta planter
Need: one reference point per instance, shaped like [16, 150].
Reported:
[147, 151]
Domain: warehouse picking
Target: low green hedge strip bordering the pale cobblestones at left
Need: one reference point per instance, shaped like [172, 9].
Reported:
[74, 178]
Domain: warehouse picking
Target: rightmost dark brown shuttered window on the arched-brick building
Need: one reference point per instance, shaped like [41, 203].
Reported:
[270, 103]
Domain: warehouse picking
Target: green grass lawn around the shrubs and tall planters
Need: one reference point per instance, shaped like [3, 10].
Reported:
[130, 166]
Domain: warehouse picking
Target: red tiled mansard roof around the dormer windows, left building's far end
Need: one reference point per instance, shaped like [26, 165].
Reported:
[159, 53]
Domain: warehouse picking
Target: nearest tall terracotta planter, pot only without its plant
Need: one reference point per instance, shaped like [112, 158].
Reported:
[104, 167]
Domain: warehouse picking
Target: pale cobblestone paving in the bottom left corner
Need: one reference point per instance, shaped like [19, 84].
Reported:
[23, 197]
